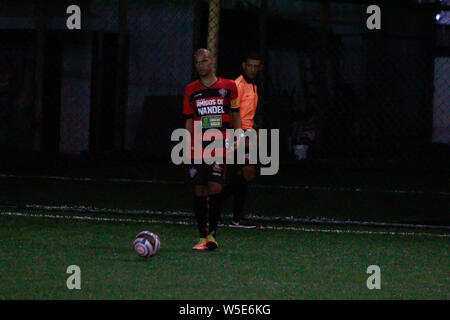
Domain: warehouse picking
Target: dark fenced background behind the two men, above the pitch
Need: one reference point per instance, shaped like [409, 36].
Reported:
[112, 91]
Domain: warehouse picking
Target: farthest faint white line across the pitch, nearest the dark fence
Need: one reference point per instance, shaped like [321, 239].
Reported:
[287, 187]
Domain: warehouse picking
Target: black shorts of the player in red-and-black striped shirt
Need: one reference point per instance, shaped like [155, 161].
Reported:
[201, 174]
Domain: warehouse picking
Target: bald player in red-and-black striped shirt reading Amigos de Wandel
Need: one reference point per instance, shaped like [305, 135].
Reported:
[211, 101]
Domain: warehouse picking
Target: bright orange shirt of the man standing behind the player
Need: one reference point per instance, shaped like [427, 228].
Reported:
[248, 101]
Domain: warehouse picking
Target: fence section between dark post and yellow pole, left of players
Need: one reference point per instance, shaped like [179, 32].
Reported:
[160, 66]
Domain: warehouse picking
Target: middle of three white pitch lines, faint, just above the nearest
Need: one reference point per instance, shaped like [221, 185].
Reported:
[251, 217]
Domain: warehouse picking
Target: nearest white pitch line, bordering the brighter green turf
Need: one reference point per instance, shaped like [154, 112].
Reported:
[154, 221]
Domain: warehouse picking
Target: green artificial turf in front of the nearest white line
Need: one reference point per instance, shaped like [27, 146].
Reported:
[249, 264]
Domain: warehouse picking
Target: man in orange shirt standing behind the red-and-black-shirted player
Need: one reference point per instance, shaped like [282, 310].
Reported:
[248, 103]
